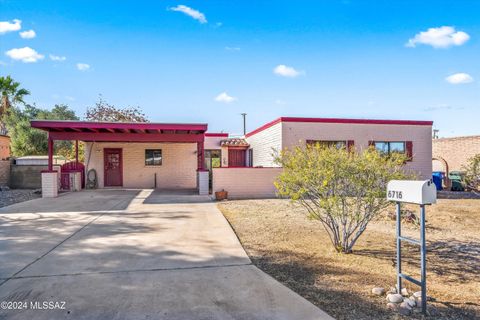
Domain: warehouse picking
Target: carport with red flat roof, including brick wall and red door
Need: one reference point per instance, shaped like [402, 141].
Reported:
[132, 154]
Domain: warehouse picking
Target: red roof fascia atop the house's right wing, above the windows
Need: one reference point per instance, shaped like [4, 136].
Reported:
[339, 120]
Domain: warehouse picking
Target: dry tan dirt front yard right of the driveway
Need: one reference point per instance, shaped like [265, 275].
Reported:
[283, 242]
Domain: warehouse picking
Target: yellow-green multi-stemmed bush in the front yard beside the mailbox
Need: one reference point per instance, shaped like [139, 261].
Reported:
[341, 188]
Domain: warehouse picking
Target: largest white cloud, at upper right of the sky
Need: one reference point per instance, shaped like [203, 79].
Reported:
[442, 37]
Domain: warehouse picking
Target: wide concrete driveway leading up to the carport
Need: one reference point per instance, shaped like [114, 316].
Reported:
[132, 254]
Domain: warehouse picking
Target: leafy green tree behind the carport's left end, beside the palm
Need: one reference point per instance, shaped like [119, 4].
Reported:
[26, 140]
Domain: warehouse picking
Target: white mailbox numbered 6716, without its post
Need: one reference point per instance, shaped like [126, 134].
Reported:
[412, 191]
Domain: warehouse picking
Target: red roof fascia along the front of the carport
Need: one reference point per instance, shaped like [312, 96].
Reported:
[49, 125]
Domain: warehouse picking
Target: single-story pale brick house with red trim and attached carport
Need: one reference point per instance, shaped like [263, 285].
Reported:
[186, 156]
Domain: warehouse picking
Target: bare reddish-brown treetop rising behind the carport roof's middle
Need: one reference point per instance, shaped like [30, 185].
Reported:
[103, 111]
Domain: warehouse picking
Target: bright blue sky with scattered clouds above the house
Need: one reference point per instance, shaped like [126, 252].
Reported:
[208, 61]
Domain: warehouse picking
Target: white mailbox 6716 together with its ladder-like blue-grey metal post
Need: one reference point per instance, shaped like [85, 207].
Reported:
[421, 193]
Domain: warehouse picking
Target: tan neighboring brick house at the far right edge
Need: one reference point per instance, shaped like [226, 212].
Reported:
[451, 154]
